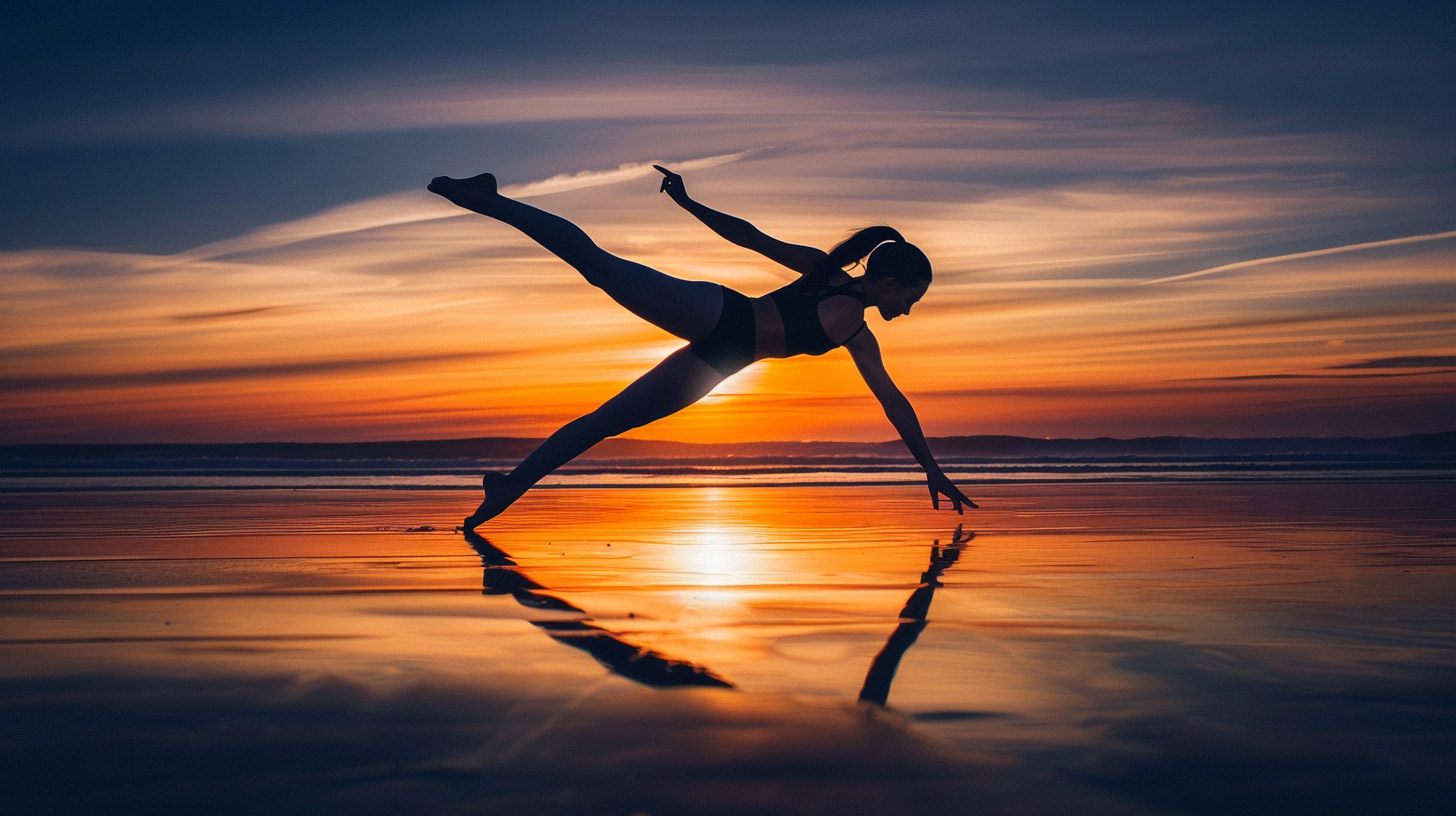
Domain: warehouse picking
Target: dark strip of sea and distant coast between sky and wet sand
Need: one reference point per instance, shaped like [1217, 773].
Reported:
[625, 463]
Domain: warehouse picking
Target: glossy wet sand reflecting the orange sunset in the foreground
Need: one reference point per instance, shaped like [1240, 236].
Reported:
[1077, 648]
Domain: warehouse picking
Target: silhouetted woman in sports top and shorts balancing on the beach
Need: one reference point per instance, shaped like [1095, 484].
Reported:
[823, 310]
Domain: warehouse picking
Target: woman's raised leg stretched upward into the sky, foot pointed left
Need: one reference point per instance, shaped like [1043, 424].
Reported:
[688, 310]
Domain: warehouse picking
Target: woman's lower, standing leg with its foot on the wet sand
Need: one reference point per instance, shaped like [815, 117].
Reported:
[672, 385]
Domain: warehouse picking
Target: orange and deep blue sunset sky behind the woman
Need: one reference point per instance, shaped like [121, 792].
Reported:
[1145, 219]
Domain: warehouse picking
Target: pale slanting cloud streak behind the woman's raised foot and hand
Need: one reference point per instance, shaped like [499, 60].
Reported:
[419, 206]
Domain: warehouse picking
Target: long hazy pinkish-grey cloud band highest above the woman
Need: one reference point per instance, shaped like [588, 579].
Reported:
[841, 106]
